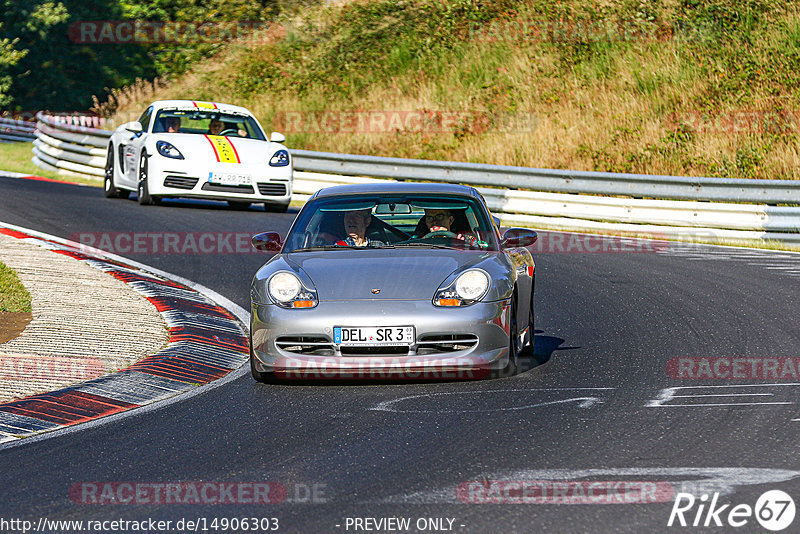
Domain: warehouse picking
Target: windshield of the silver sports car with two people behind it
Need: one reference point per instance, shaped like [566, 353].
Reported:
[392, 221]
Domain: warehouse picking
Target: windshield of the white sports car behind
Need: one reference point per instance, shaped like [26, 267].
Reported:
[211, 122]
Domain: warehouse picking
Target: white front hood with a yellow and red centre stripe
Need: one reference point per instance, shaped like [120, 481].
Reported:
[200, 149]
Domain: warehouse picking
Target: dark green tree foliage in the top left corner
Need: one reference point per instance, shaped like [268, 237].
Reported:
[42, 68]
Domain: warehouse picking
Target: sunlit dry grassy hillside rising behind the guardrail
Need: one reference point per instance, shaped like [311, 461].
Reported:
[656, 87]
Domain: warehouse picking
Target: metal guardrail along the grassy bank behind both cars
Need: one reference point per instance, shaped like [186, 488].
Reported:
[536, 197]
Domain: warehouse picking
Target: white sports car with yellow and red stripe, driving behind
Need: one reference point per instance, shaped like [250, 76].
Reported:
[183, 148]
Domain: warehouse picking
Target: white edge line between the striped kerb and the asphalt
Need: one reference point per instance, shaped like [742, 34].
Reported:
[235, 309]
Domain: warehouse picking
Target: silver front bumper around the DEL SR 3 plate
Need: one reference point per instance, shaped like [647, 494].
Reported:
[451, 343]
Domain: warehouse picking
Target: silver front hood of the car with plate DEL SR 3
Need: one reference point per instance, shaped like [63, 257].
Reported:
[407, 274]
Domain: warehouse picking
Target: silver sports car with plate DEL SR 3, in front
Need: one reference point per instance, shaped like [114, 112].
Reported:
[394, 280]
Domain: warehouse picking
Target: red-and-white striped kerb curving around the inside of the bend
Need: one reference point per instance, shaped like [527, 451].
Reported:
[206, 343]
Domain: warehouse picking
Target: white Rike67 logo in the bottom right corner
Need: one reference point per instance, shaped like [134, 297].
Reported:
[774, 510]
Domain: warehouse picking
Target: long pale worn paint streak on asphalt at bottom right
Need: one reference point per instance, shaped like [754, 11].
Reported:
[694, 480]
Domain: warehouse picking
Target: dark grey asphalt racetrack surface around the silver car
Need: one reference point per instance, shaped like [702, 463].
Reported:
[598, 409]
